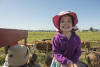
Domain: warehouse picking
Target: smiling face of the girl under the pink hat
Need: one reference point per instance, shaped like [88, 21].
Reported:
[66, 23]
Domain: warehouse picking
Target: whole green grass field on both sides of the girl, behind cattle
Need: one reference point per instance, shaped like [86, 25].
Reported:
[85, 36]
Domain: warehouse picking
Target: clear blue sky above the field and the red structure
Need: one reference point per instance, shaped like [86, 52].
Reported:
[37, 14]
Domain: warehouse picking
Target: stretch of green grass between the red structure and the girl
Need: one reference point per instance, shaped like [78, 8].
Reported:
[39, 36]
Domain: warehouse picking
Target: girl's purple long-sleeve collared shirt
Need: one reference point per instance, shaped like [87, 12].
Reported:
[65, 50]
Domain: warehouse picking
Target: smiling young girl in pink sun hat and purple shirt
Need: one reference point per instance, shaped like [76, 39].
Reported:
[66, 44]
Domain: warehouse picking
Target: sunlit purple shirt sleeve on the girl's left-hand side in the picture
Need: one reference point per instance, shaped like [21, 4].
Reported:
[57, 52]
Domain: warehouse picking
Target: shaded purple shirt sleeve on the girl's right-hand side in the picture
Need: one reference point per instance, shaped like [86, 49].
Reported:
[77, 52]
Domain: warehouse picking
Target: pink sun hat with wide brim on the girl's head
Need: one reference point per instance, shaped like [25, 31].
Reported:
[57, 17]
